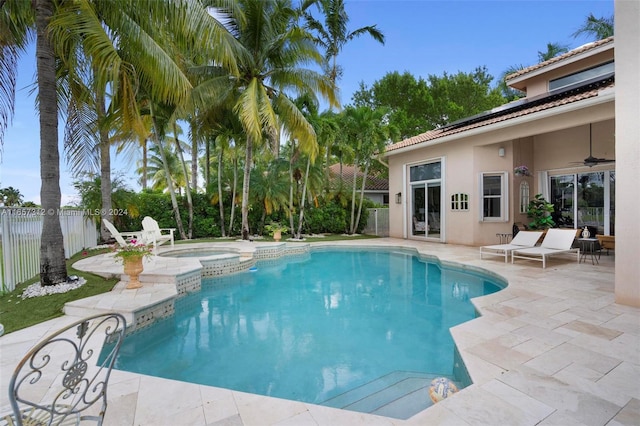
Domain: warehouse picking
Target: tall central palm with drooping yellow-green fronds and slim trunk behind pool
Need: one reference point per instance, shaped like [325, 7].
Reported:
[273, 49]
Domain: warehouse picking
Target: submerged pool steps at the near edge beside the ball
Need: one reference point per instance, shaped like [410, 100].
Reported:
[399, 394]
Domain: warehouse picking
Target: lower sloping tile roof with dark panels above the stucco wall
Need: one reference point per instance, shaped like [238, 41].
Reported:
[506, 113]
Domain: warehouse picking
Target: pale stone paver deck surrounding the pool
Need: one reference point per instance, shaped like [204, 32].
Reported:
[551, 349]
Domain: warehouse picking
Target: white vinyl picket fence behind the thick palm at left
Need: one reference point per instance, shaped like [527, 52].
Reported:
[20, 232]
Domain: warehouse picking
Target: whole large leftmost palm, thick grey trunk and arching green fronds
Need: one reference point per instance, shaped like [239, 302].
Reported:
[102, 31]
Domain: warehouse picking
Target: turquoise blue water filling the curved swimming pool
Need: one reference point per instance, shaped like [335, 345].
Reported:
[320, 328]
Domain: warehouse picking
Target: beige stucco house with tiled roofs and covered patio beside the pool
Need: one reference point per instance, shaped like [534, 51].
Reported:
[459, 183]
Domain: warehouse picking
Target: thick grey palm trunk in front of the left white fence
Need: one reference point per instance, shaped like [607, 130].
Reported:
[53, 269]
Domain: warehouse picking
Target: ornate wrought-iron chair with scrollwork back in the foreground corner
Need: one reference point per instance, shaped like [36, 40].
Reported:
[63, 379]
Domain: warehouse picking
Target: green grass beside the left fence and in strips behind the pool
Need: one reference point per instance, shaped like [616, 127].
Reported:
[16, 314]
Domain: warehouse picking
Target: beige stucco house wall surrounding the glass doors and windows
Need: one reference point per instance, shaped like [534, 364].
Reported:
[545, 144]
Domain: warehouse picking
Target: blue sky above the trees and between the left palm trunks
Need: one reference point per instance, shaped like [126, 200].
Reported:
[423, 37]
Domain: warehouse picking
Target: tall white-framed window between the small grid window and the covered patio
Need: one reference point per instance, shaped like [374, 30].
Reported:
[495, 197]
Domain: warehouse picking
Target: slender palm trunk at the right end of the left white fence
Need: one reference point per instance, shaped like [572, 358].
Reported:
[105, 165]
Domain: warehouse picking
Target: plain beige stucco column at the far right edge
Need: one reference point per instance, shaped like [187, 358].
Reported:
[627, 30]
